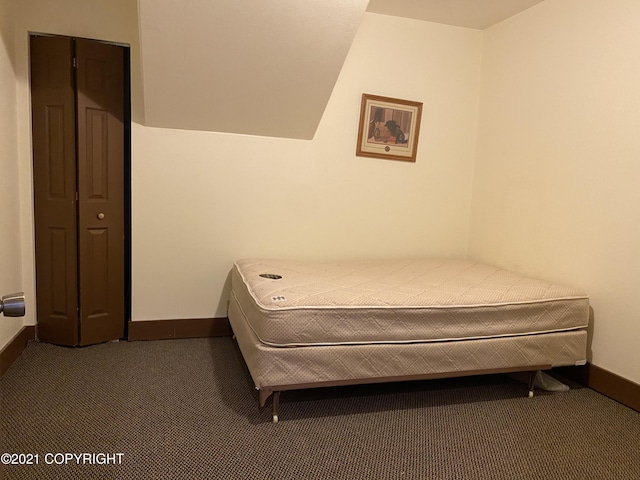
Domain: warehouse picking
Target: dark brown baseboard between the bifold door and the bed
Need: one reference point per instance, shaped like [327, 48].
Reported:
[182, 328]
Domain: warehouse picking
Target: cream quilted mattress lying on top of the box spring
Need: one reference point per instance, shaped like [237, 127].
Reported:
[294, 304]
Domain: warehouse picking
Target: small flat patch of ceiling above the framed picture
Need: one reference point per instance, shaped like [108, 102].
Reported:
[479, 14]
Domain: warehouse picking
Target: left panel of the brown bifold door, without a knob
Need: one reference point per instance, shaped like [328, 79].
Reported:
[54, 167]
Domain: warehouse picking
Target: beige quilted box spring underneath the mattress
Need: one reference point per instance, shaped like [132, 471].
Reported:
[275, 367]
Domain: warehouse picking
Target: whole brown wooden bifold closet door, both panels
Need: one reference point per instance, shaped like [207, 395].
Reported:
[78, 135]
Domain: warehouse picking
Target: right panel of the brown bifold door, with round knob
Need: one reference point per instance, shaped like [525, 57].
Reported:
[100, 103]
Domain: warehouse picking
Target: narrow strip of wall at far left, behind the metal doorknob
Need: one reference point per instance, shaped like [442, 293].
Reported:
[10, 268]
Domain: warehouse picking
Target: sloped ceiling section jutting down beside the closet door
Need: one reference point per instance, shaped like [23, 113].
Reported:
[243, 66]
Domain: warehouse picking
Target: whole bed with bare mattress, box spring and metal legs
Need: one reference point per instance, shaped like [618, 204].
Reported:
[313, 324]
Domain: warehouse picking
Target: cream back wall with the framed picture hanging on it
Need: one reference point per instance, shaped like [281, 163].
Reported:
[202, 199]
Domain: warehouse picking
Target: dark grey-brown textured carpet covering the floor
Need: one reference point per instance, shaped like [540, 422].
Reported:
[186, 409]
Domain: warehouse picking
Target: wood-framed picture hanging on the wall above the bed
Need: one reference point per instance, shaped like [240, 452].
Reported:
[389, 128]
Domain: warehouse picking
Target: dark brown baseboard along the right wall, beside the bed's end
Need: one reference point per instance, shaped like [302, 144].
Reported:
[613, 386]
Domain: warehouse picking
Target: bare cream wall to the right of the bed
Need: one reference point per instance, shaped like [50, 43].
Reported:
[557, 173]
